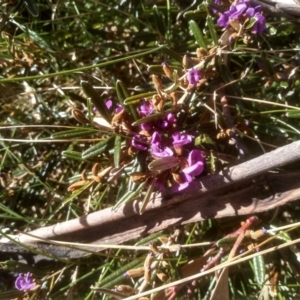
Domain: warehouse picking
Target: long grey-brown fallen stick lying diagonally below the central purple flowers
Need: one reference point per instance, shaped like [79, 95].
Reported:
[208, 197]
